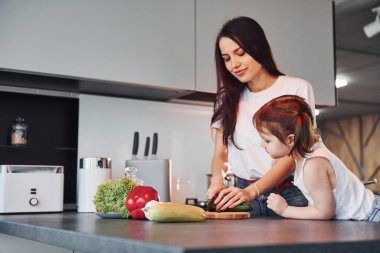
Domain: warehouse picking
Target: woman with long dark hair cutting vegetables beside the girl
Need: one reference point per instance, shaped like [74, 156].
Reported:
[247, 78]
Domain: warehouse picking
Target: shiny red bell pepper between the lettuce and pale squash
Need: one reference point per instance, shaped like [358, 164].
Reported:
[137, 199]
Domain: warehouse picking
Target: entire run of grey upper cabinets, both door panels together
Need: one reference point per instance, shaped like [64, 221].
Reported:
[160, 43]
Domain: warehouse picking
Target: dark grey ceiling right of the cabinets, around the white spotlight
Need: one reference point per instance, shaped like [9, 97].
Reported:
[357, 60]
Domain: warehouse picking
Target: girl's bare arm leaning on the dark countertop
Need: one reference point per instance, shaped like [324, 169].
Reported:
[317, 182]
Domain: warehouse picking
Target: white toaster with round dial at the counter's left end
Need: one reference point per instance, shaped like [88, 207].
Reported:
[31, 188]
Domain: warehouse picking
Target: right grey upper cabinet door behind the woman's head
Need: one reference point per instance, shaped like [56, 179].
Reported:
[300, 33]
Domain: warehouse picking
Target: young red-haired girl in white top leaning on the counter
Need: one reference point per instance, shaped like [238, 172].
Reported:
[333, 191]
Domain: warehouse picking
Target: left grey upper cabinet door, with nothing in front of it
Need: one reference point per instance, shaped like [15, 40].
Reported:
[145, 42]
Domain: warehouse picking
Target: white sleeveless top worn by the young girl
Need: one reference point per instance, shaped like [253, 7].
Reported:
[352, 199]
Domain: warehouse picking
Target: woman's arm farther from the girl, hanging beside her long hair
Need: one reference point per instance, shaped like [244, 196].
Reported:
[218, 165]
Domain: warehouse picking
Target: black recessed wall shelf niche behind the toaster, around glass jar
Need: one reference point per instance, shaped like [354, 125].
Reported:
[52, 133]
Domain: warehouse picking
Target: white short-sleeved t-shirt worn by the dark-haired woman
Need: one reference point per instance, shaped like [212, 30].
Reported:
[252, 162]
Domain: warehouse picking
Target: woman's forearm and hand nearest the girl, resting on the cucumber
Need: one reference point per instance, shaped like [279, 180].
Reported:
[231, 197]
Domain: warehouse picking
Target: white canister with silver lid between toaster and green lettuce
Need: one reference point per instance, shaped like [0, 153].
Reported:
[91, 173]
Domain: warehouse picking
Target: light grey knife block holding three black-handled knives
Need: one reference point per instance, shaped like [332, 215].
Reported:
[152, 171]
